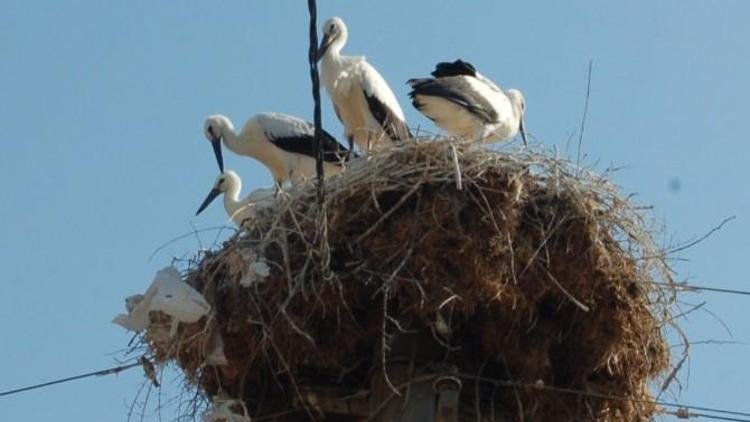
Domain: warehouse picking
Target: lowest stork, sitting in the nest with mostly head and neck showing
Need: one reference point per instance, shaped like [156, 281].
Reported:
[239, 210]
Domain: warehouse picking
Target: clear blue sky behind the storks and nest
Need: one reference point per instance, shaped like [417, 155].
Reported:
[104, 159]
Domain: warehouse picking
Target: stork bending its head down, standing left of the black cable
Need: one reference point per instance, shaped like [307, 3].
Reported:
[283, 143]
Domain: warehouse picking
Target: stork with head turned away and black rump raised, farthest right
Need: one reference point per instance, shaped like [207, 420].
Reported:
[466, 104]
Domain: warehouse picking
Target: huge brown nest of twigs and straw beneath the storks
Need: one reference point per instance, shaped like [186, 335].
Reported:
[530, 286]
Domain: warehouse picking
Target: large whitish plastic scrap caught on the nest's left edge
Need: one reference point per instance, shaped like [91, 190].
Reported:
[167, 294]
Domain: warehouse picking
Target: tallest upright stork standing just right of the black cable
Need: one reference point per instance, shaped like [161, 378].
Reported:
[362, 99]
